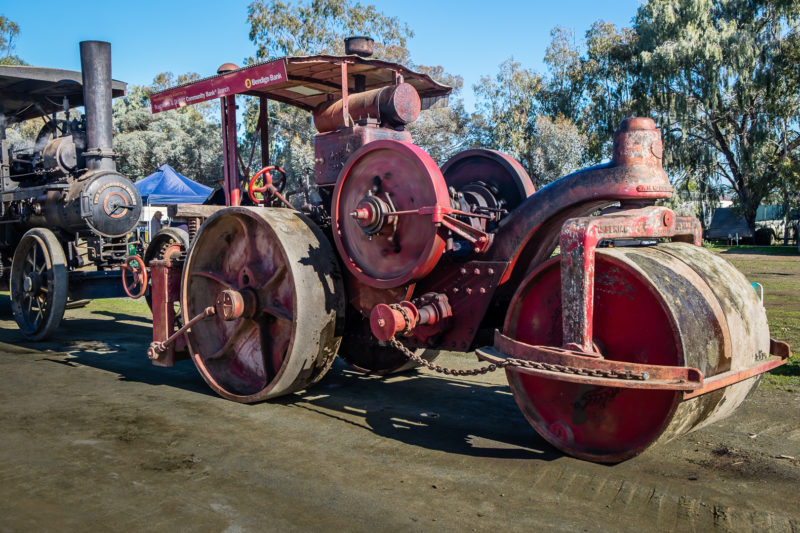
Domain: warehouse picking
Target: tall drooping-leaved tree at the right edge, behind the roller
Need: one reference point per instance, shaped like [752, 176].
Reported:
[708, 70]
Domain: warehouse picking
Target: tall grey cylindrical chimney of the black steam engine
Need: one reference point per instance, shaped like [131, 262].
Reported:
[96, 67]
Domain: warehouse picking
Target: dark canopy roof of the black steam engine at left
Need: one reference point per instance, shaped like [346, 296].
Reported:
[31, 92]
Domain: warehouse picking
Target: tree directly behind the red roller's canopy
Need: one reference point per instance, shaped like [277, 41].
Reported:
[279, 28]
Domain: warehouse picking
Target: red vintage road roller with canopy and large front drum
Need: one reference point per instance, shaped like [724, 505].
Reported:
[607, 350]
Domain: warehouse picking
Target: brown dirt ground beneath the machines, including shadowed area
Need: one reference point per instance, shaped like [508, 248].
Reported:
[94, 438]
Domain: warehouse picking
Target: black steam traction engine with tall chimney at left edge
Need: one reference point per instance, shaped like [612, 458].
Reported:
[65, 211]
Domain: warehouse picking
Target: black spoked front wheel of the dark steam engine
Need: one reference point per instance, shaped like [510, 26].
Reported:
[38, 283]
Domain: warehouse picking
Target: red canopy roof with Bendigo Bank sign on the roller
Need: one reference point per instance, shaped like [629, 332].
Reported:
[304, 82]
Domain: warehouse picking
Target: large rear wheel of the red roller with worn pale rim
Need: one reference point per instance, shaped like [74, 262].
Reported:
[275, 282]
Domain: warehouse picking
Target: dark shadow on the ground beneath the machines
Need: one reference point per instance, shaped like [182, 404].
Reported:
[453, 415]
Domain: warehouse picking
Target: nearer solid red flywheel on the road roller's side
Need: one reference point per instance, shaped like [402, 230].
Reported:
[383, 177]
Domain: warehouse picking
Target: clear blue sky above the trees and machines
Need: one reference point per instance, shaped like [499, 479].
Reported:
[148, 37]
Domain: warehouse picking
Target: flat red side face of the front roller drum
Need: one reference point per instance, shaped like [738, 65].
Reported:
[596, 423]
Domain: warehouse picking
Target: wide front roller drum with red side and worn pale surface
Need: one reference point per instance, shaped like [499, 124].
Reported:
[672, 304]
